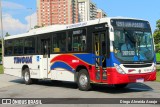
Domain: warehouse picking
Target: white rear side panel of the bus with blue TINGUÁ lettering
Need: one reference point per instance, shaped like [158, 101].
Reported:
[13, 65]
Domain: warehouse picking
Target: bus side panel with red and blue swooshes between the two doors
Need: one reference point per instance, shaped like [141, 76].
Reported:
[63, 66]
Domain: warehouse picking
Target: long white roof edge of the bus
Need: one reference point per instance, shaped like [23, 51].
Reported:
[54, 28]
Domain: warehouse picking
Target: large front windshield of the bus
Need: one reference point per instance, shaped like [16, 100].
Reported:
[133, 45]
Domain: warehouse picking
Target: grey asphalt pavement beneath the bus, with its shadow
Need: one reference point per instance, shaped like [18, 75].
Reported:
[13, 87]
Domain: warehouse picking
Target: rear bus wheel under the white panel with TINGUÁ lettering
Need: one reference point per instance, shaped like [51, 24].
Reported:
[26, 76]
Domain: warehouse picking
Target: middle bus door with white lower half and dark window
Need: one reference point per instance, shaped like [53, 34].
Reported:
[45, 50]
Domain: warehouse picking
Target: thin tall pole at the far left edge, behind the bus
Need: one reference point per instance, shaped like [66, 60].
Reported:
[1, 30]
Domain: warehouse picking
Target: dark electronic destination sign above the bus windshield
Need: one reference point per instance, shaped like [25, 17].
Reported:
[130, 23]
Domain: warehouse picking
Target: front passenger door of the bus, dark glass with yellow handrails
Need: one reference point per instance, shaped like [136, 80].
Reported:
[100, 55]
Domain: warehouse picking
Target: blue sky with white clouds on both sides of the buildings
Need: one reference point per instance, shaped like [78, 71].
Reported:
[17, 13]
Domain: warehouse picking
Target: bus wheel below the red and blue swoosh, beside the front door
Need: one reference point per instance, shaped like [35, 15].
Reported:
[83, 80]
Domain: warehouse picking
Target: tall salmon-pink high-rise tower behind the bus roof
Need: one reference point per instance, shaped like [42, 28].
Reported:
[51, 12]
